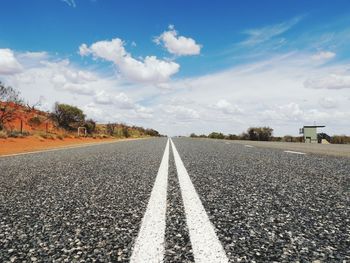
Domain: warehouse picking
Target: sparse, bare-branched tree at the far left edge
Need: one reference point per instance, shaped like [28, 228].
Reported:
[10, 102]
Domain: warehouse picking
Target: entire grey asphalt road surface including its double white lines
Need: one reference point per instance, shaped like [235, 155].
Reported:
[179, 200]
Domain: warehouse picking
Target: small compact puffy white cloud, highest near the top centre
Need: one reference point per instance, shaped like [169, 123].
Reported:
[178, 45]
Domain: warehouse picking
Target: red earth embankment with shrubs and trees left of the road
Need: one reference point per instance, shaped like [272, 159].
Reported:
[18, 119]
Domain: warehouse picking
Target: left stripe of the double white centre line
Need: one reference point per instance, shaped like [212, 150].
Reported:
[149, 245]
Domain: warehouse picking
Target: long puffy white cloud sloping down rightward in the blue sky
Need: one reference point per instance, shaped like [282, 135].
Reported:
[149, 70]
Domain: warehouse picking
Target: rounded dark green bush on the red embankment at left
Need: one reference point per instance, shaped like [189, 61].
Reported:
[67, 116]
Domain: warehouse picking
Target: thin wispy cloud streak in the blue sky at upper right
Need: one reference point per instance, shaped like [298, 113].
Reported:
[260, 35]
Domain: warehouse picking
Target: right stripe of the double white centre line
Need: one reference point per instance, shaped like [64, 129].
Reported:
[205, 244]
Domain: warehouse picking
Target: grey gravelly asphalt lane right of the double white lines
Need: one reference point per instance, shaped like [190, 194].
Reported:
[270, 206]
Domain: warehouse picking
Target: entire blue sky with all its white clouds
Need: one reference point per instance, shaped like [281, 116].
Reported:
[183, 66]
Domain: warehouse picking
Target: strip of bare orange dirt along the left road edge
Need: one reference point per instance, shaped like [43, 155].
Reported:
[30, 144]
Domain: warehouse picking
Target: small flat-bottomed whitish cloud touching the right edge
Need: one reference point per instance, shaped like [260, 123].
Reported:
[332, 81]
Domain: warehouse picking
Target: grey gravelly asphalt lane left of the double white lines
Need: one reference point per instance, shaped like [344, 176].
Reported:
[77, 205]
